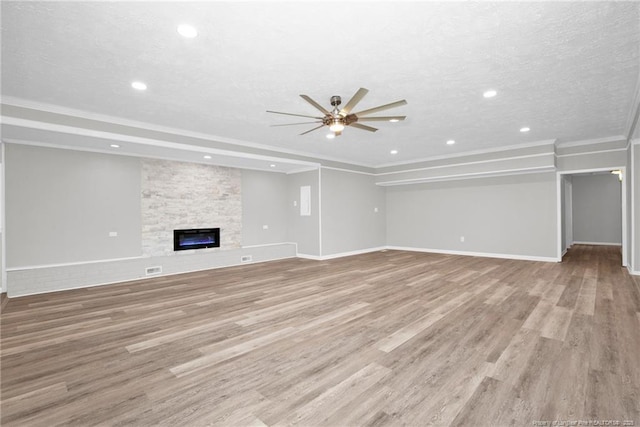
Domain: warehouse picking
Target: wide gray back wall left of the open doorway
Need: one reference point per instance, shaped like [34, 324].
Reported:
[514, 215]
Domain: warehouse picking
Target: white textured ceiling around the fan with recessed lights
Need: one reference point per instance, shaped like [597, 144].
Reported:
[567, 70]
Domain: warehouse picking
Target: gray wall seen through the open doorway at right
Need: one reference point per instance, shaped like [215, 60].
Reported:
[597, 209]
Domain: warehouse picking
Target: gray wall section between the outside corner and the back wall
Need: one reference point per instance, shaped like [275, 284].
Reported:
[349, 220]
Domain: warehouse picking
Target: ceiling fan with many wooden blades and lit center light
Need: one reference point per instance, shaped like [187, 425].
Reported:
[338, 118]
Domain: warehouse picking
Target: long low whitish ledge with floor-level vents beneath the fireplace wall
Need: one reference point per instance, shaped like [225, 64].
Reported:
[44, 279]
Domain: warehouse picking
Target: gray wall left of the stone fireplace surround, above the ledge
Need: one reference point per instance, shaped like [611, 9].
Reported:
[61, 206]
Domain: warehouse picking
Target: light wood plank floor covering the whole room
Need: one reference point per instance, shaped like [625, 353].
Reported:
[388, 338]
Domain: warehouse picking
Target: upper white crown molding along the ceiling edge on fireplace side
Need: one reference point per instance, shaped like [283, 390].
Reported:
[56, 109]
